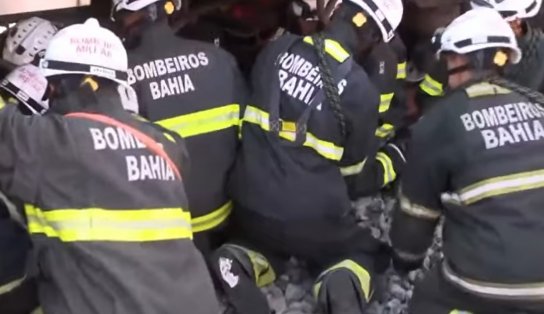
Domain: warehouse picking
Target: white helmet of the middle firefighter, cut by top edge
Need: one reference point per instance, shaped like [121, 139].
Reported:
[386, 13]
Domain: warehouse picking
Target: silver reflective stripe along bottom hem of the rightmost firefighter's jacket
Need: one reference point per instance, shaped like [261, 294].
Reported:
[508, 291]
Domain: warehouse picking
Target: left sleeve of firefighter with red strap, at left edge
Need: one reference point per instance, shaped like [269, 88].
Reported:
[21, 140]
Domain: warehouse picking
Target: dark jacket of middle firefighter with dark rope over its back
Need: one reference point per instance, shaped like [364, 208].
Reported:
[290, 170]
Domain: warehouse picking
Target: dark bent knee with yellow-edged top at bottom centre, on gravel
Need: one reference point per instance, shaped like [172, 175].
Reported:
[343, 288]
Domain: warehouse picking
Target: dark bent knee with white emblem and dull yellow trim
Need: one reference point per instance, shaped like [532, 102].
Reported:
[253, 264]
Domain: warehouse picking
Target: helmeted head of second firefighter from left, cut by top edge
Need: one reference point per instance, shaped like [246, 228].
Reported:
[132, 16]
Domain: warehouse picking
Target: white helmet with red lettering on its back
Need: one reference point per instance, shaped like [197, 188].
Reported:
[89, 49]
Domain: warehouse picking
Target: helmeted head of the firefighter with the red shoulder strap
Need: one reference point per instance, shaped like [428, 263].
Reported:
[85, 55]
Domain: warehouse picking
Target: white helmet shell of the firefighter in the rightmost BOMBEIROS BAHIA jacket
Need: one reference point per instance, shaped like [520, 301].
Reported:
[479, 29]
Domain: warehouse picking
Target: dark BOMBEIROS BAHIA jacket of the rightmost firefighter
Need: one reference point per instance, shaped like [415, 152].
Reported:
[476, 159]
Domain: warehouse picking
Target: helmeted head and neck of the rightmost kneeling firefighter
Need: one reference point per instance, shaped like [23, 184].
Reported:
[477, 45]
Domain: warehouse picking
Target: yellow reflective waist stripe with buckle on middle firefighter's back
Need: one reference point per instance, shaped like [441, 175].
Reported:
[326, 149]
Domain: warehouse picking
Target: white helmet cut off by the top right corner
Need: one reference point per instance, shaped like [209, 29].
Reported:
[511, 9]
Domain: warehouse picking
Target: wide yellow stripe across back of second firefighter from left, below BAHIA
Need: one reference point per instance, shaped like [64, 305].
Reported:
[205, 121]
